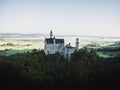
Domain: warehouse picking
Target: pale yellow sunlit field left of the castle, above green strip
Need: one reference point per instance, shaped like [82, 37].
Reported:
[21, 43]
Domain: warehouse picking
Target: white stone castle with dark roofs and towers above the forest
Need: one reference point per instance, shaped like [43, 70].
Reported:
[53, 45]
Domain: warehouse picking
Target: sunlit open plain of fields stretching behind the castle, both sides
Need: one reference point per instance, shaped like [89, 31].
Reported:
[14, 45]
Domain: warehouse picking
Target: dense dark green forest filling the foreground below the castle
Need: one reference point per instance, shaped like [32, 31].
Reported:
[35, 70]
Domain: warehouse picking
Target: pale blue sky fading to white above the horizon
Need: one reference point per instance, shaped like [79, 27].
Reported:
[78, 17]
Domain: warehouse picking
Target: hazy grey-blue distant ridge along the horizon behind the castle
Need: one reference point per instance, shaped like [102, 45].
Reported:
[38, 35]
